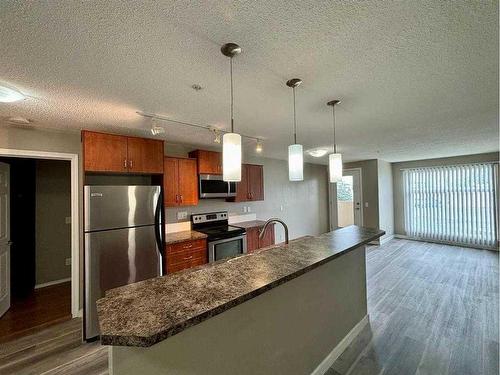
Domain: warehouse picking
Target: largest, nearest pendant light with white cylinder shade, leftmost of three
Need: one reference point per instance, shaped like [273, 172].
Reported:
[231, 142]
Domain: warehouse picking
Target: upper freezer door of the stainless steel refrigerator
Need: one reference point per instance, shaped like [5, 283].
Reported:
[108, 207]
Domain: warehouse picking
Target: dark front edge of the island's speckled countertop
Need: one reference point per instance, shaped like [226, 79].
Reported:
[141, 341]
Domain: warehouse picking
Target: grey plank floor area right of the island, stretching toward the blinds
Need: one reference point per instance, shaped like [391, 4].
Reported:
[433, 310]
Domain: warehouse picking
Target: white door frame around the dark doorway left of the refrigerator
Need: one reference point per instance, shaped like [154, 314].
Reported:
[75, 214]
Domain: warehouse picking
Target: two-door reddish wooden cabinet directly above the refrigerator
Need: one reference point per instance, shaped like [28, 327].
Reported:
[119, 154]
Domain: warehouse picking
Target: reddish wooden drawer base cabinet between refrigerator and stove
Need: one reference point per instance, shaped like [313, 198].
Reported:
[187, 254]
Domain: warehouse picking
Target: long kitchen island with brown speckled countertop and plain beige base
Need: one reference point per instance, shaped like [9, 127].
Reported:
[287, 309]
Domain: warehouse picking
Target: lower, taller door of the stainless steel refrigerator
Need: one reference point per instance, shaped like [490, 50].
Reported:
[114, 258]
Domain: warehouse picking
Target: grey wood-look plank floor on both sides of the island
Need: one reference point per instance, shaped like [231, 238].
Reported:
[433, 310]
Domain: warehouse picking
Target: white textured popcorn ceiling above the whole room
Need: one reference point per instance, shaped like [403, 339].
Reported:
[417, 79]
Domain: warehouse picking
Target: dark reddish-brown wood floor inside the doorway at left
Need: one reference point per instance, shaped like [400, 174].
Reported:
[45, 306]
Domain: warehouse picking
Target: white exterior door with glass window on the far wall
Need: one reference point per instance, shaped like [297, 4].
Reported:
[346, 207]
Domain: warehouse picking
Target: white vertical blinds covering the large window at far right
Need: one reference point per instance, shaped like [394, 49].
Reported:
[452, 203]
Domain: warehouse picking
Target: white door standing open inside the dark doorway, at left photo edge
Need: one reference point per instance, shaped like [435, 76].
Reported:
[4, 239]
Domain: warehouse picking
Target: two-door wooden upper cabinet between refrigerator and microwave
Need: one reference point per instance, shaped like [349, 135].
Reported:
[180, 182]
